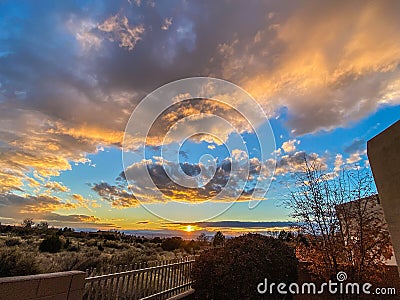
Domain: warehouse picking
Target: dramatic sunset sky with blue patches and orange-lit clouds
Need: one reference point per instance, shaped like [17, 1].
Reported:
[324, 74]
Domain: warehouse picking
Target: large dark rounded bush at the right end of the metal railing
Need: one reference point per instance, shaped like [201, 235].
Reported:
[234, 271]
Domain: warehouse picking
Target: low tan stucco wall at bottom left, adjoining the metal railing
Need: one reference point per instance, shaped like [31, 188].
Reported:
[57, 286]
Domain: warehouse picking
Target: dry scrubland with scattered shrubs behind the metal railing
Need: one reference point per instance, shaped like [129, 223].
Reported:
[28, 249]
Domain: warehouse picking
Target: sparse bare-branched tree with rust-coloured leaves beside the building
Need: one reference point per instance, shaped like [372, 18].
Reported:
[338, 233]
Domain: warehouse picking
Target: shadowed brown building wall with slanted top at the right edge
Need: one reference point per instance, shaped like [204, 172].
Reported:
[384, 158]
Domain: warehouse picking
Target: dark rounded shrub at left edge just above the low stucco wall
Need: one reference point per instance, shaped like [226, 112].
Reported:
[16, 263]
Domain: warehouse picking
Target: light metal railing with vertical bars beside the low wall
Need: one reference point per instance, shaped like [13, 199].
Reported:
[158, 280]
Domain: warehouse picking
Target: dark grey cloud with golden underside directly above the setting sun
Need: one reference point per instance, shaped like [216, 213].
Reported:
[189, 182]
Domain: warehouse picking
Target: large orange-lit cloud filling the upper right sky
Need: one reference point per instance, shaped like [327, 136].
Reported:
[326, 67]
